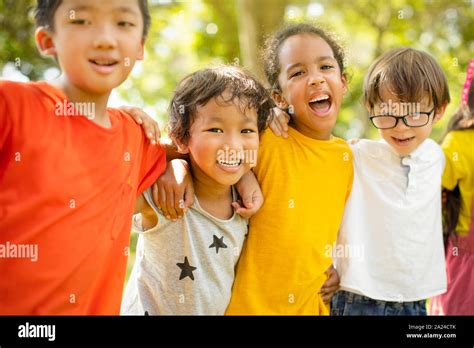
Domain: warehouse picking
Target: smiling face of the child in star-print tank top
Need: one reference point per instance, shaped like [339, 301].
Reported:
[223, 142]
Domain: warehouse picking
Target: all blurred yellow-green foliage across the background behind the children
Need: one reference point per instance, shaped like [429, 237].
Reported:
[190, 35]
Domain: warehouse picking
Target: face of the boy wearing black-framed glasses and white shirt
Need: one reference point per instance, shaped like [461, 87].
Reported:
[405, 139]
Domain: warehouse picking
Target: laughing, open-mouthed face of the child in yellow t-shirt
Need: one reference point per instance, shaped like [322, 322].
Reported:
[312, 85]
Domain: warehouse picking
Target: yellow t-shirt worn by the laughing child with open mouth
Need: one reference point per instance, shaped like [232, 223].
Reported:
[282, 267]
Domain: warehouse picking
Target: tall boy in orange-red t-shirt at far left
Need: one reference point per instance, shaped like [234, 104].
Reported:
[71, 168]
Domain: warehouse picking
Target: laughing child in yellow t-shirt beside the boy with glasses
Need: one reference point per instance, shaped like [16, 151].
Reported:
[305, 180]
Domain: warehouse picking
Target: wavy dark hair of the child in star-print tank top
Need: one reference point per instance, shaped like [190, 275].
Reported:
[201, 86]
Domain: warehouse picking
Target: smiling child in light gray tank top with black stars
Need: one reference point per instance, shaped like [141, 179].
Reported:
[187, 266]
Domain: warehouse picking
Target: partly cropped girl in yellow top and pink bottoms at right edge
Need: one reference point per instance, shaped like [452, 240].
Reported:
[458, 181]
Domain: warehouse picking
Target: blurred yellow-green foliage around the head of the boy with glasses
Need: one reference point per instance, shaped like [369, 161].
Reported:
[368, 28]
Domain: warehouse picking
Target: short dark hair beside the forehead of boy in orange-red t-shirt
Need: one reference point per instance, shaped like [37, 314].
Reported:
[45, 10]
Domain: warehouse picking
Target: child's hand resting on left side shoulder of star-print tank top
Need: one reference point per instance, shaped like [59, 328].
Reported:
[173, 192]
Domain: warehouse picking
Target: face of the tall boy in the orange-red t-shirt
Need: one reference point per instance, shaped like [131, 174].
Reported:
[95, 42]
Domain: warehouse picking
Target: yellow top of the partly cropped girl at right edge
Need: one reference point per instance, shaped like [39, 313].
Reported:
[458, 148]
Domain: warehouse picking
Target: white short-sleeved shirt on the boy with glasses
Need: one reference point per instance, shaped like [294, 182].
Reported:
[390, 245]
